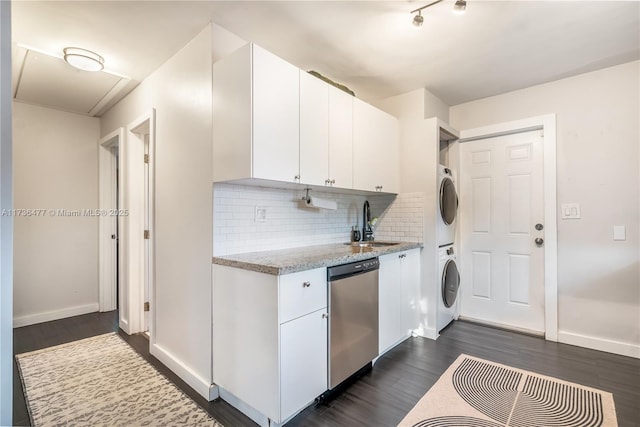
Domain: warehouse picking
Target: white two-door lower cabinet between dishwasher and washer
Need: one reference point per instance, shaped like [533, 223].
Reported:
[398, 293]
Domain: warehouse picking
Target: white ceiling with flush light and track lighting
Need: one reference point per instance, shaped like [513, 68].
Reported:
[370, 46]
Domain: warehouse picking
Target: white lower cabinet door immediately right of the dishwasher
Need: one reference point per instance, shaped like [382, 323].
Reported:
[390, 302]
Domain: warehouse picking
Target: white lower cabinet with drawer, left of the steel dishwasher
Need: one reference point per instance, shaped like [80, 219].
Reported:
[269, 340]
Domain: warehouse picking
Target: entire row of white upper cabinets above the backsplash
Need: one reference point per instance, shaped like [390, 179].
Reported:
[275, 122]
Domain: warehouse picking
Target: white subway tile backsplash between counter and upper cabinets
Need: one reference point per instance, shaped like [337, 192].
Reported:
[291, 224]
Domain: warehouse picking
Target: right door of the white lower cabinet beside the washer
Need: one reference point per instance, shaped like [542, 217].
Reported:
[410, 278]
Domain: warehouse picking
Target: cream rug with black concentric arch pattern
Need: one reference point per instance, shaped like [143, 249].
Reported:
[477, 393]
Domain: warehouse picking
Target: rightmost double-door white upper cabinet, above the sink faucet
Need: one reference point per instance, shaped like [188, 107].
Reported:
[375, 149]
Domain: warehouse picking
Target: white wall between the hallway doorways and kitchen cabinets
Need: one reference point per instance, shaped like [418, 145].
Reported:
[180, 91]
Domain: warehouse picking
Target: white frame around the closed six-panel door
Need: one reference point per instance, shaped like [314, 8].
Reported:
[546, 123]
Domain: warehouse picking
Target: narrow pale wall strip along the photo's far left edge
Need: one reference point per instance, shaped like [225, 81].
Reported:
[6, 222]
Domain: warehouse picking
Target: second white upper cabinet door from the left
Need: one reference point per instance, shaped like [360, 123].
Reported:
[314, 130]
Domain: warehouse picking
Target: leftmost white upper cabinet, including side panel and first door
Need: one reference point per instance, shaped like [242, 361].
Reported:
[256, 133]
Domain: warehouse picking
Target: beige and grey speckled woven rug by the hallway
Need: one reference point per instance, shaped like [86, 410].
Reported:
[102, 381]
